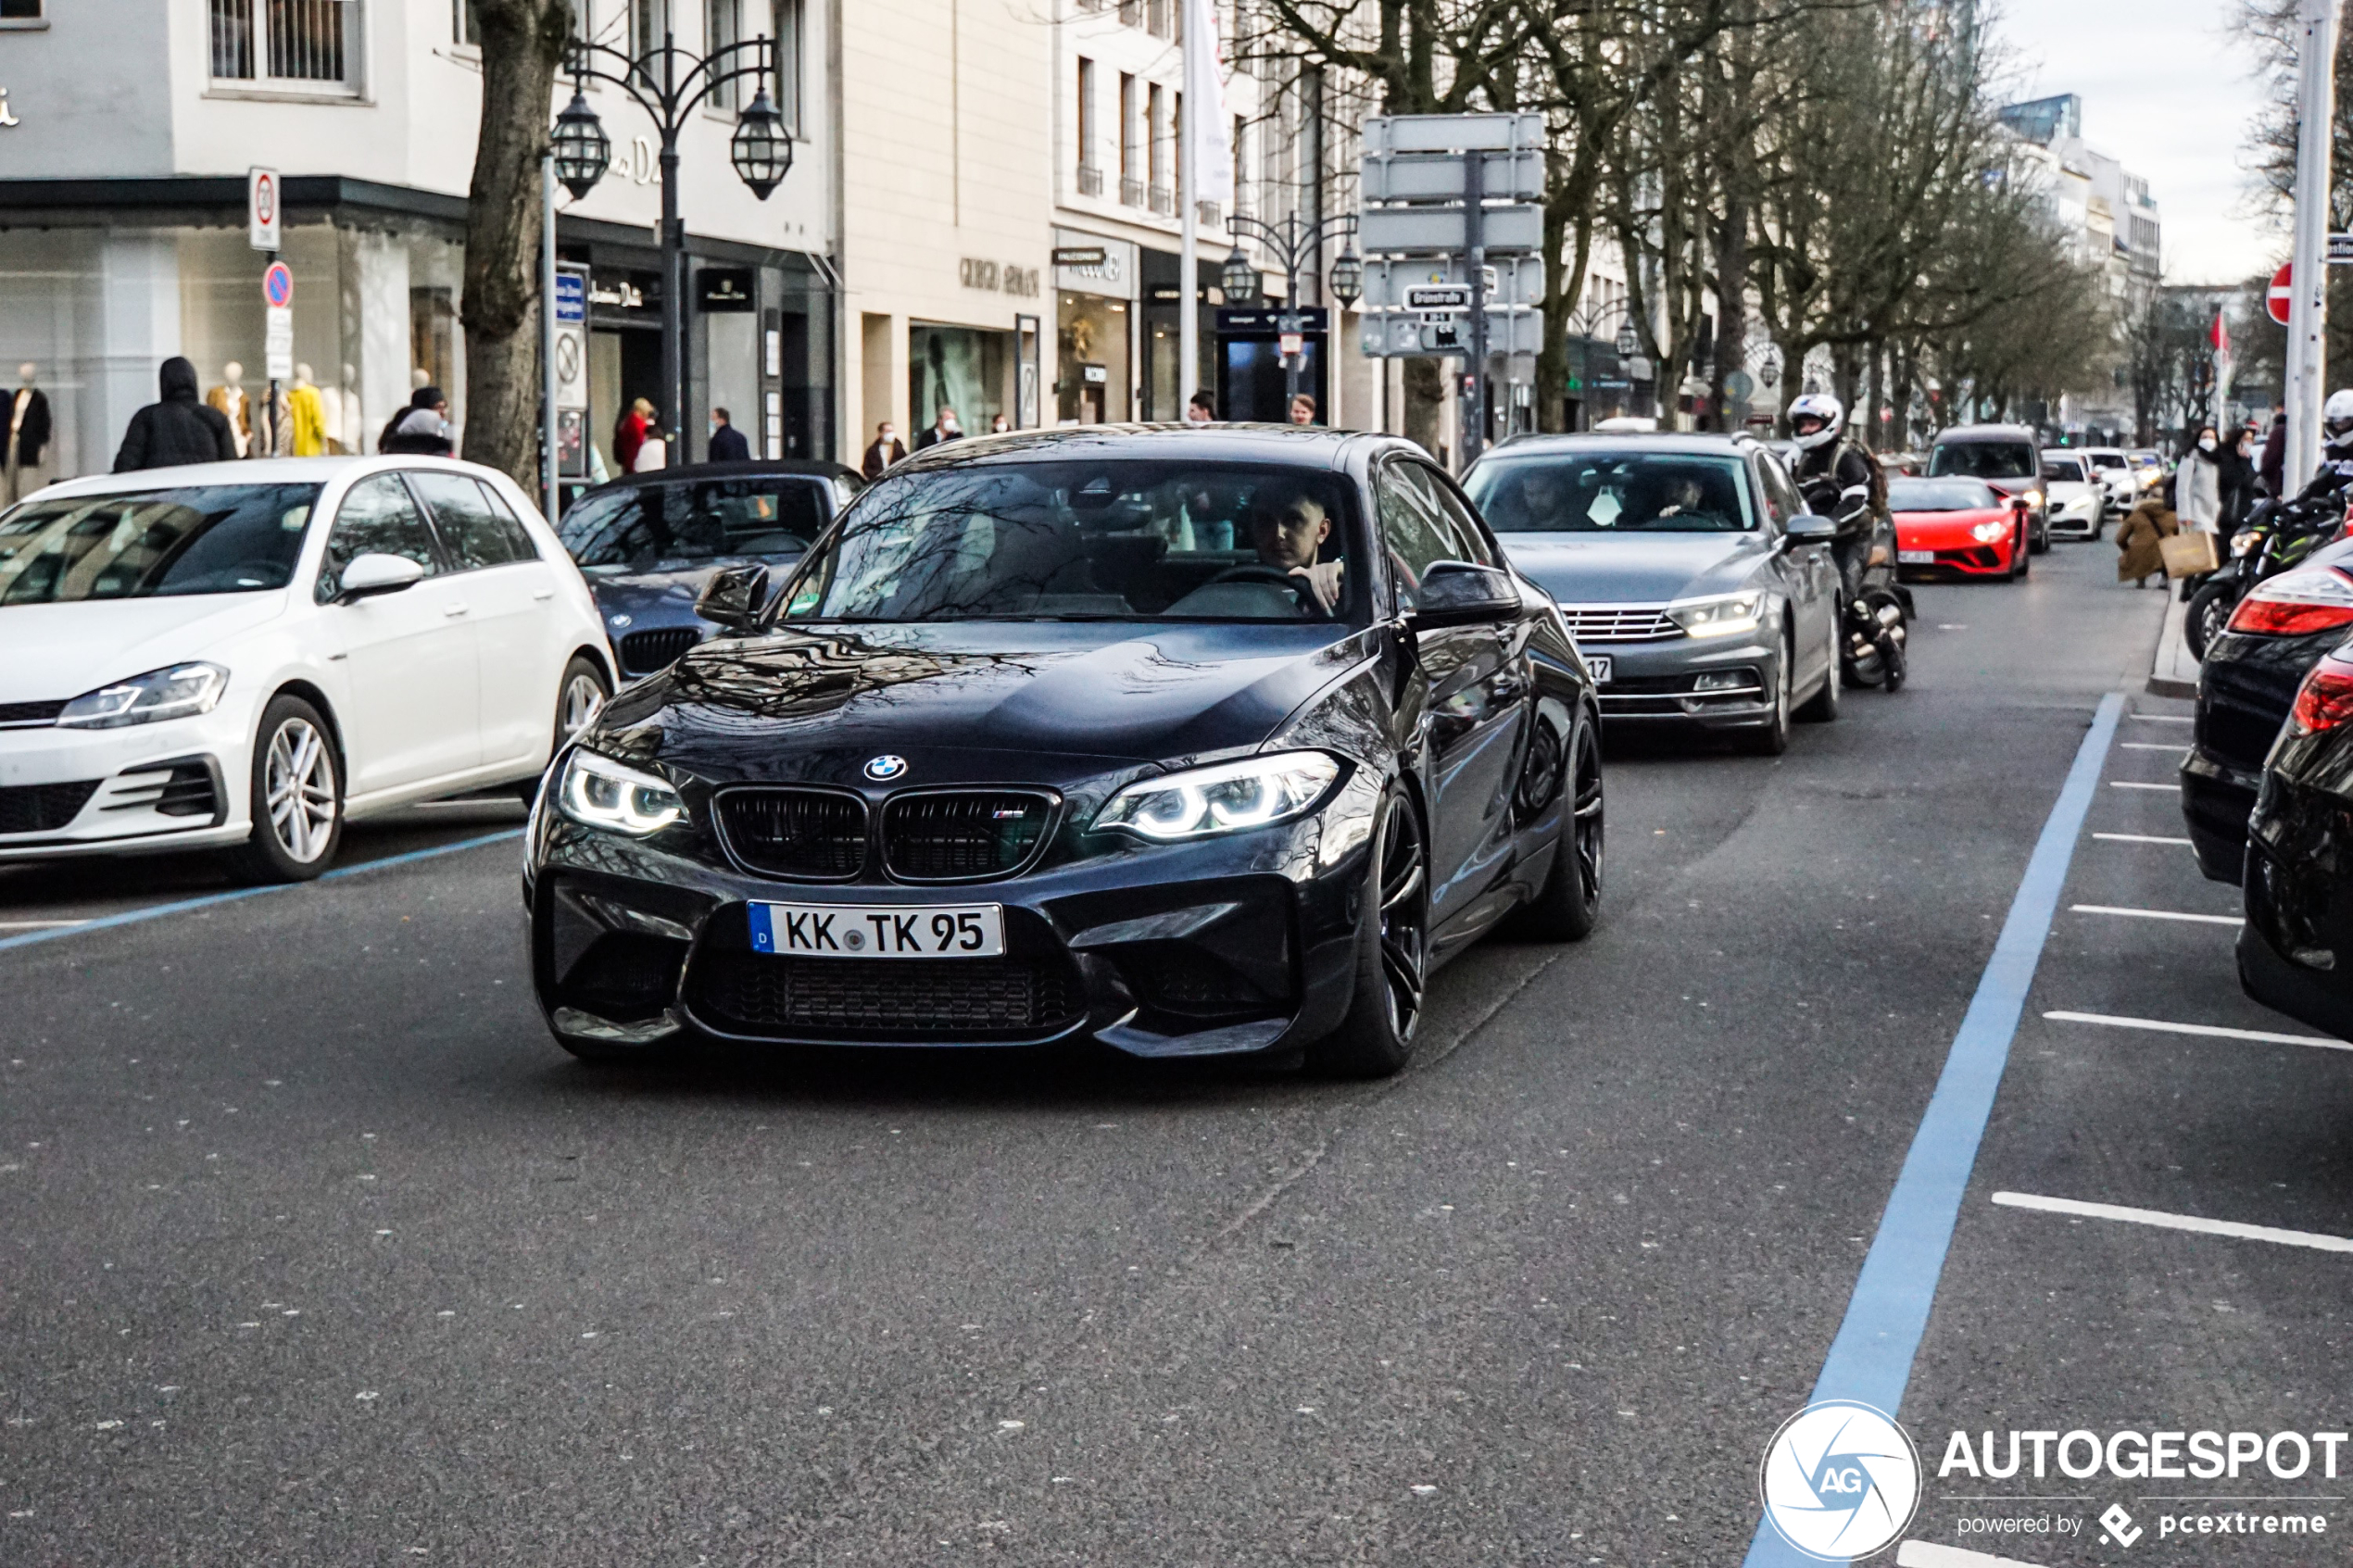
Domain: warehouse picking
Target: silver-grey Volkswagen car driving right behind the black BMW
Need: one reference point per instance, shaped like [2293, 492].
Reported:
[1695, 584]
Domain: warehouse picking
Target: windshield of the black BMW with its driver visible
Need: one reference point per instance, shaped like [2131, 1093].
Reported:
[1088, 542]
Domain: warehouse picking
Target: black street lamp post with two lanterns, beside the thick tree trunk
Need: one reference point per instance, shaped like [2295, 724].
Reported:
[669, 86]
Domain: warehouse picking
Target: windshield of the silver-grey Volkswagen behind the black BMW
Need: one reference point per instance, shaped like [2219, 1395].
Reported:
[1613, 492]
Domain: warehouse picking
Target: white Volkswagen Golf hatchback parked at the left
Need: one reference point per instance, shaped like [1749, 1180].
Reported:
[251, 655]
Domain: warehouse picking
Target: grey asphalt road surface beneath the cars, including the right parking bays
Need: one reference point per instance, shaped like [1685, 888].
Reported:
[314, 1249]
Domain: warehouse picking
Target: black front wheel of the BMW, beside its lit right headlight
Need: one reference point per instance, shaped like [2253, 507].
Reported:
[1392, 965]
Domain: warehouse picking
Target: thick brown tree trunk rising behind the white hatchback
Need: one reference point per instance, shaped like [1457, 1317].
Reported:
[524, 41]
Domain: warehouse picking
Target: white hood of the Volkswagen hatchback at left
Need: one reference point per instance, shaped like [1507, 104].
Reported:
[53, 652]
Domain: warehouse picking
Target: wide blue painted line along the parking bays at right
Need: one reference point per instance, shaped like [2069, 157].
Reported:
[1898, 1287]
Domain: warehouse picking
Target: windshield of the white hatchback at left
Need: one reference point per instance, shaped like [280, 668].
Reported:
[154, 542]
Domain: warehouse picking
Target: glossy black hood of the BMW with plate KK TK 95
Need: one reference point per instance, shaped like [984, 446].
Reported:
[818, 704]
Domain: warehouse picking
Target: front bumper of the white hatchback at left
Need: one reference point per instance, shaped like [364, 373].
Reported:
[124, 791]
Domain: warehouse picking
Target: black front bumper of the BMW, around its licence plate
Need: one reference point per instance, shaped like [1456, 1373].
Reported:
[1211, 949]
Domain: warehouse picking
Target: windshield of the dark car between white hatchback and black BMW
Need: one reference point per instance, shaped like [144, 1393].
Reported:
[644, 528]
